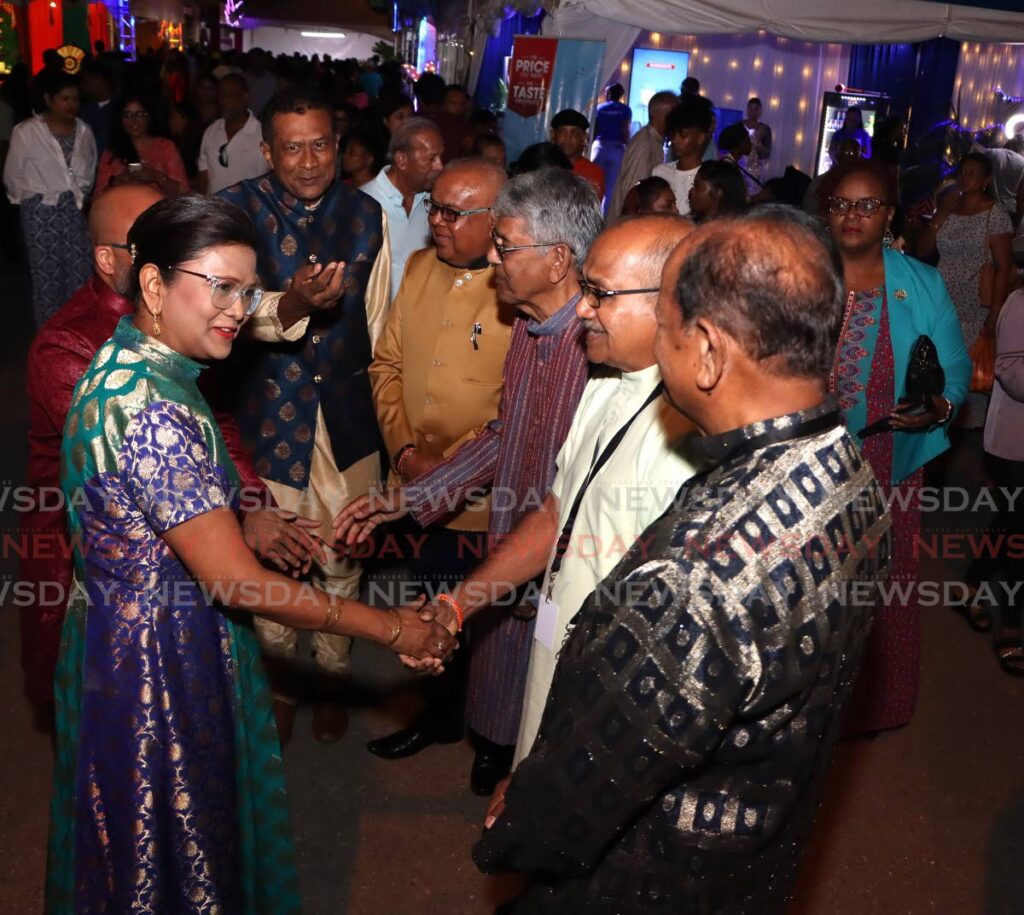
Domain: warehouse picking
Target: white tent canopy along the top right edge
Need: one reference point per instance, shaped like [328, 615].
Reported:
[850, 22]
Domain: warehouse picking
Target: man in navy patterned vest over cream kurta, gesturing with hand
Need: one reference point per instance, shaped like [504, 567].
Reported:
[304, 402]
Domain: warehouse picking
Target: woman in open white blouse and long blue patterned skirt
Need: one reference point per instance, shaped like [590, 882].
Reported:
[50, 171]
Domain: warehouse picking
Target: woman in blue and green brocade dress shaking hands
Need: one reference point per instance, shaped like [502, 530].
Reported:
[169, 789]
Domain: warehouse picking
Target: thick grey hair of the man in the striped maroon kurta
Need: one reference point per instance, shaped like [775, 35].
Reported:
[559, 208]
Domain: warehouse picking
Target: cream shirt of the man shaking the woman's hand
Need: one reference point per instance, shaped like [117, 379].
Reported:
[633, 489]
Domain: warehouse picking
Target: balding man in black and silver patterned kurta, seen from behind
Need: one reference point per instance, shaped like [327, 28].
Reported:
[698, 698]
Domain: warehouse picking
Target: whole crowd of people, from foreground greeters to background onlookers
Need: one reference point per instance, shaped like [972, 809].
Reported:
[655, 441]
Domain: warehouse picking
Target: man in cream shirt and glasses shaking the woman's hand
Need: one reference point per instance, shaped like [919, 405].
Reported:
[625, 437]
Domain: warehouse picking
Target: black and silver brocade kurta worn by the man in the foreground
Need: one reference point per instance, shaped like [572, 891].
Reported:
[697, 702]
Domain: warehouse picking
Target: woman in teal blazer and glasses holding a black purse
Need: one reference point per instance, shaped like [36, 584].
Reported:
[892, 300]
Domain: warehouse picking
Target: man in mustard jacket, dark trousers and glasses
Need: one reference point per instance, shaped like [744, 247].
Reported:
[437, 378]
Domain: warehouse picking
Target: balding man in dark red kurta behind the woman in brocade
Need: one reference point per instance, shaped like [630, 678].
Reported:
[60, 355]
